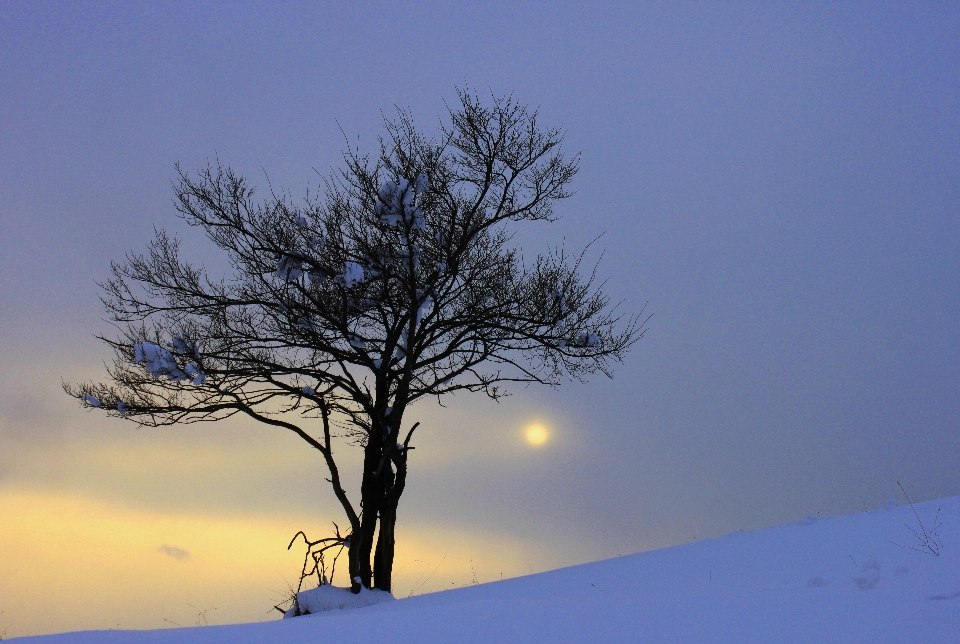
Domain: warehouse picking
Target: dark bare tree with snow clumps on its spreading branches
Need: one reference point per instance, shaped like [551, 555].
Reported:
[399, 283]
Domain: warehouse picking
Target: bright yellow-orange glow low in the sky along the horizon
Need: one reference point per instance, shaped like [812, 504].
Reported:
[113, 566]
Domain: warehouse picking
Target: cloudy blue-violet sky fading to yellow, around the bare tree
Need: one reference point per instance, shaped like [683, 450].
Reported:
[776, 183]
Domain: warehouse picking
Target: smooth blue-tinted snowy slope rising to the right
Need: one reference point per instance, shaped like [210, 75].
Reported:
[838, 579]
